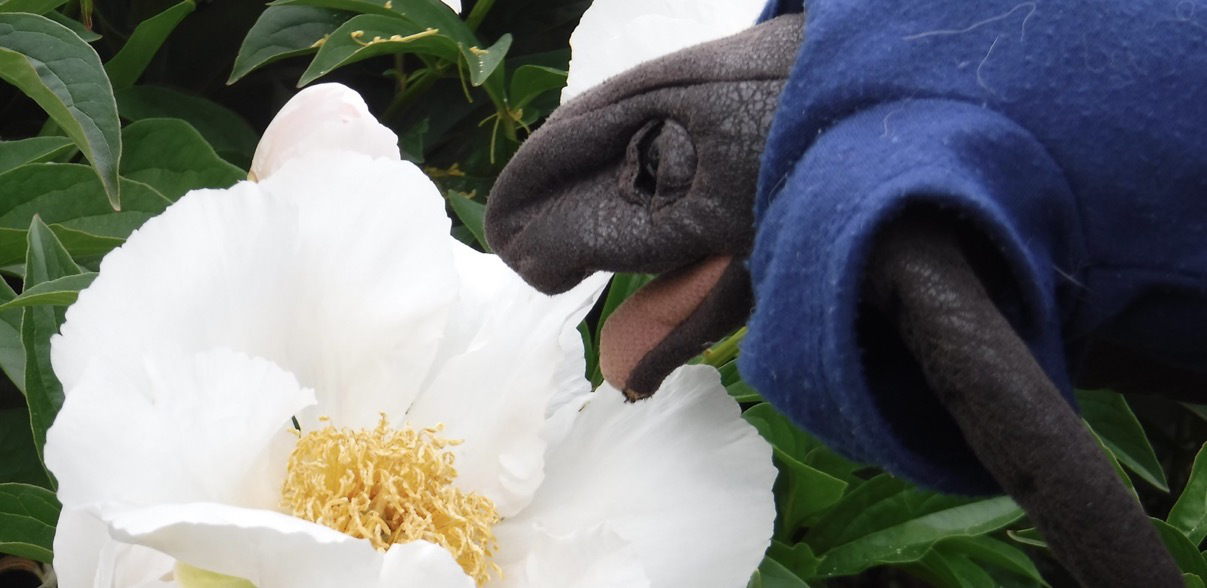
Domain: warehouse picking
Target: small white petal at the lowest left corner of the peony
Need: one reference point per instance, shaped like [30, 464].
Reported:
[85, 555]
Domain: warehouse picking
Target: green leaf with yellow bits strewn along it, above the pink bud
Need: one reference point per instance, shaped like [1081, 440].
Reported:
[371, 36]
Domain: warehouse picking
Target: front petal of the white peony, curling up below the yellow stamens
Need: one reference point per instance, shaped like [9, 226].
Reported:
[273, 550]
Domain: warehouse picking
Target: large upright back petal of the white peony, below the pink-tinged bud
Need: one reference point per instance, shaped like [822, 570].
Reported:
[339, 270]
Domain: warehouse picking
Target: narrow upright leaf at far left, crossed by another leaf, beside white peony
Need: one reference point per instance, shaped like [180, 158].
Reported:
[46, 260]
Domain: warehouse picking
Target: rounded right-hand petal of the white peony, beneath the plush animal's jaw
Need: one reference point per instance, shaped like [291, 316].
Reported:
[679, 474]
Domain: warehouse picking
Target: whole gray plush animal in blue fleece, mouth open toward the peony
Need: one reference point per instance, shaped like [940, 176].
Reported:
[944, 216]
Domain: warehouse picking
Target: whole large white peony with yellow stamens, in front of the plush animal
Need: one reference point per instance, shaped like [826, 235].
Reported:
[306, 382]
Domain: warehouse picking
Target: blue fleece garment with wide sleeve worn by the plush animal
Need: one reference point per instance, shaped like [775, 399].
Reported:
[1071, 136]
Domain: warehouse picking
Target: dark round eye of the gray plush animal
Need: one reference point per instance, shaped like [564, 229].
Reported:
[661, 164]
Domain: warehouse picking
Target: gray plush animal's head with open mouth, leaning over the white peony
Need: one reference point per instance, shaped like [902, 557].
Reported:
[652, 172]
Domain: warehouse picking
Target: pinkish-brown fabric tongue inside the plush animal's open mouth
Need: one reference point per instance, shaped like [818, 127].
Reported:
[650, 316]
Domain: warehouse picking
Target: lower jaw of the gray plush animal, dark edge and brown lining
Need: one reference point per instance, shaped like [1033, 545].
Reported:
[670, 321]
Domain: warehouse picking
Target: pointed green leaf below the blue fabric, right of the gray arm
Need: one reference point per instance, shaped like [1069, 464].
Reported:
[1117, 427]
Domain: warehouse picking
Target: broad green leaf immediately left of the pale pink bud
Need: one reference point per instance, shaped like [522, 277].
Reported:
[171, 156]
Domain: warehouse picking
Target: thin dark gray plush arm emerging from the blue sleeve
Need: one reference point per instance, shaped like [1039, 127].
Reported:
[1016, 421]
